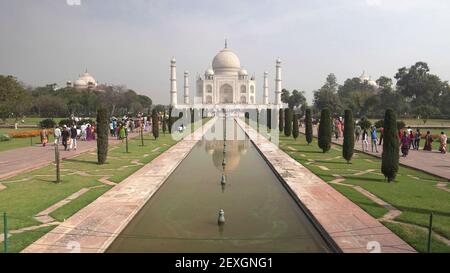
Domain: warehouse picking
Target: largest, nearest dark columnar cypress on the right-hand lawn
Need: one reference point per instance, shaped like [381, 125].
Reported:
[390, 156]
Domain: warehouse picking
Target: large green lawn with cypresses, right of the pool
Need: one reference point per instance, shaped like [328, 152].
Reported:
[416, 198]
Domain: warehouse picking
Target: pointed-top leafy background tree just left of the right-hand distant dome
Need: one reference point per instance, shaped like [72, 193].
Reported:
[326, 96]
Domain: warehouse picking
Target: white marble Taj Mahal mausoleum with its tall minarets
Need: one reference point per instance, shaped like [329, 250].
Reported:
[225, 85]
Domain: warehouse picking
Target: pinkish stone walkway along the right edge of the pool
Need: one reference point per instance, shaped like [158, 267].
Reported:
[351, 228]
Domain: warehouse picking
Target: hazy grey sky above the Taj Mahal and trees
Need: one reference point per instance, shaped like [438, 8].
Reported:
[131, 42]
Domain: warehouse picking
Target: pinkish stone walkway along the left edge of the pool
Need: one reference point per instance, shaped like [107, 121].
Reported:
[96, 226]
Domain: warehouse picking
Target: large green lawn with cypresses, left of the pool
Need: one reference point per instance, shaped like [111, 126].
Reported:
[30, 193]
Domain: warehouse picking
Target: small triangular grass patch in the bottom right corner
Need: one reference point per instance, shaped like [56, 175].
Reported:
[418, 238]
